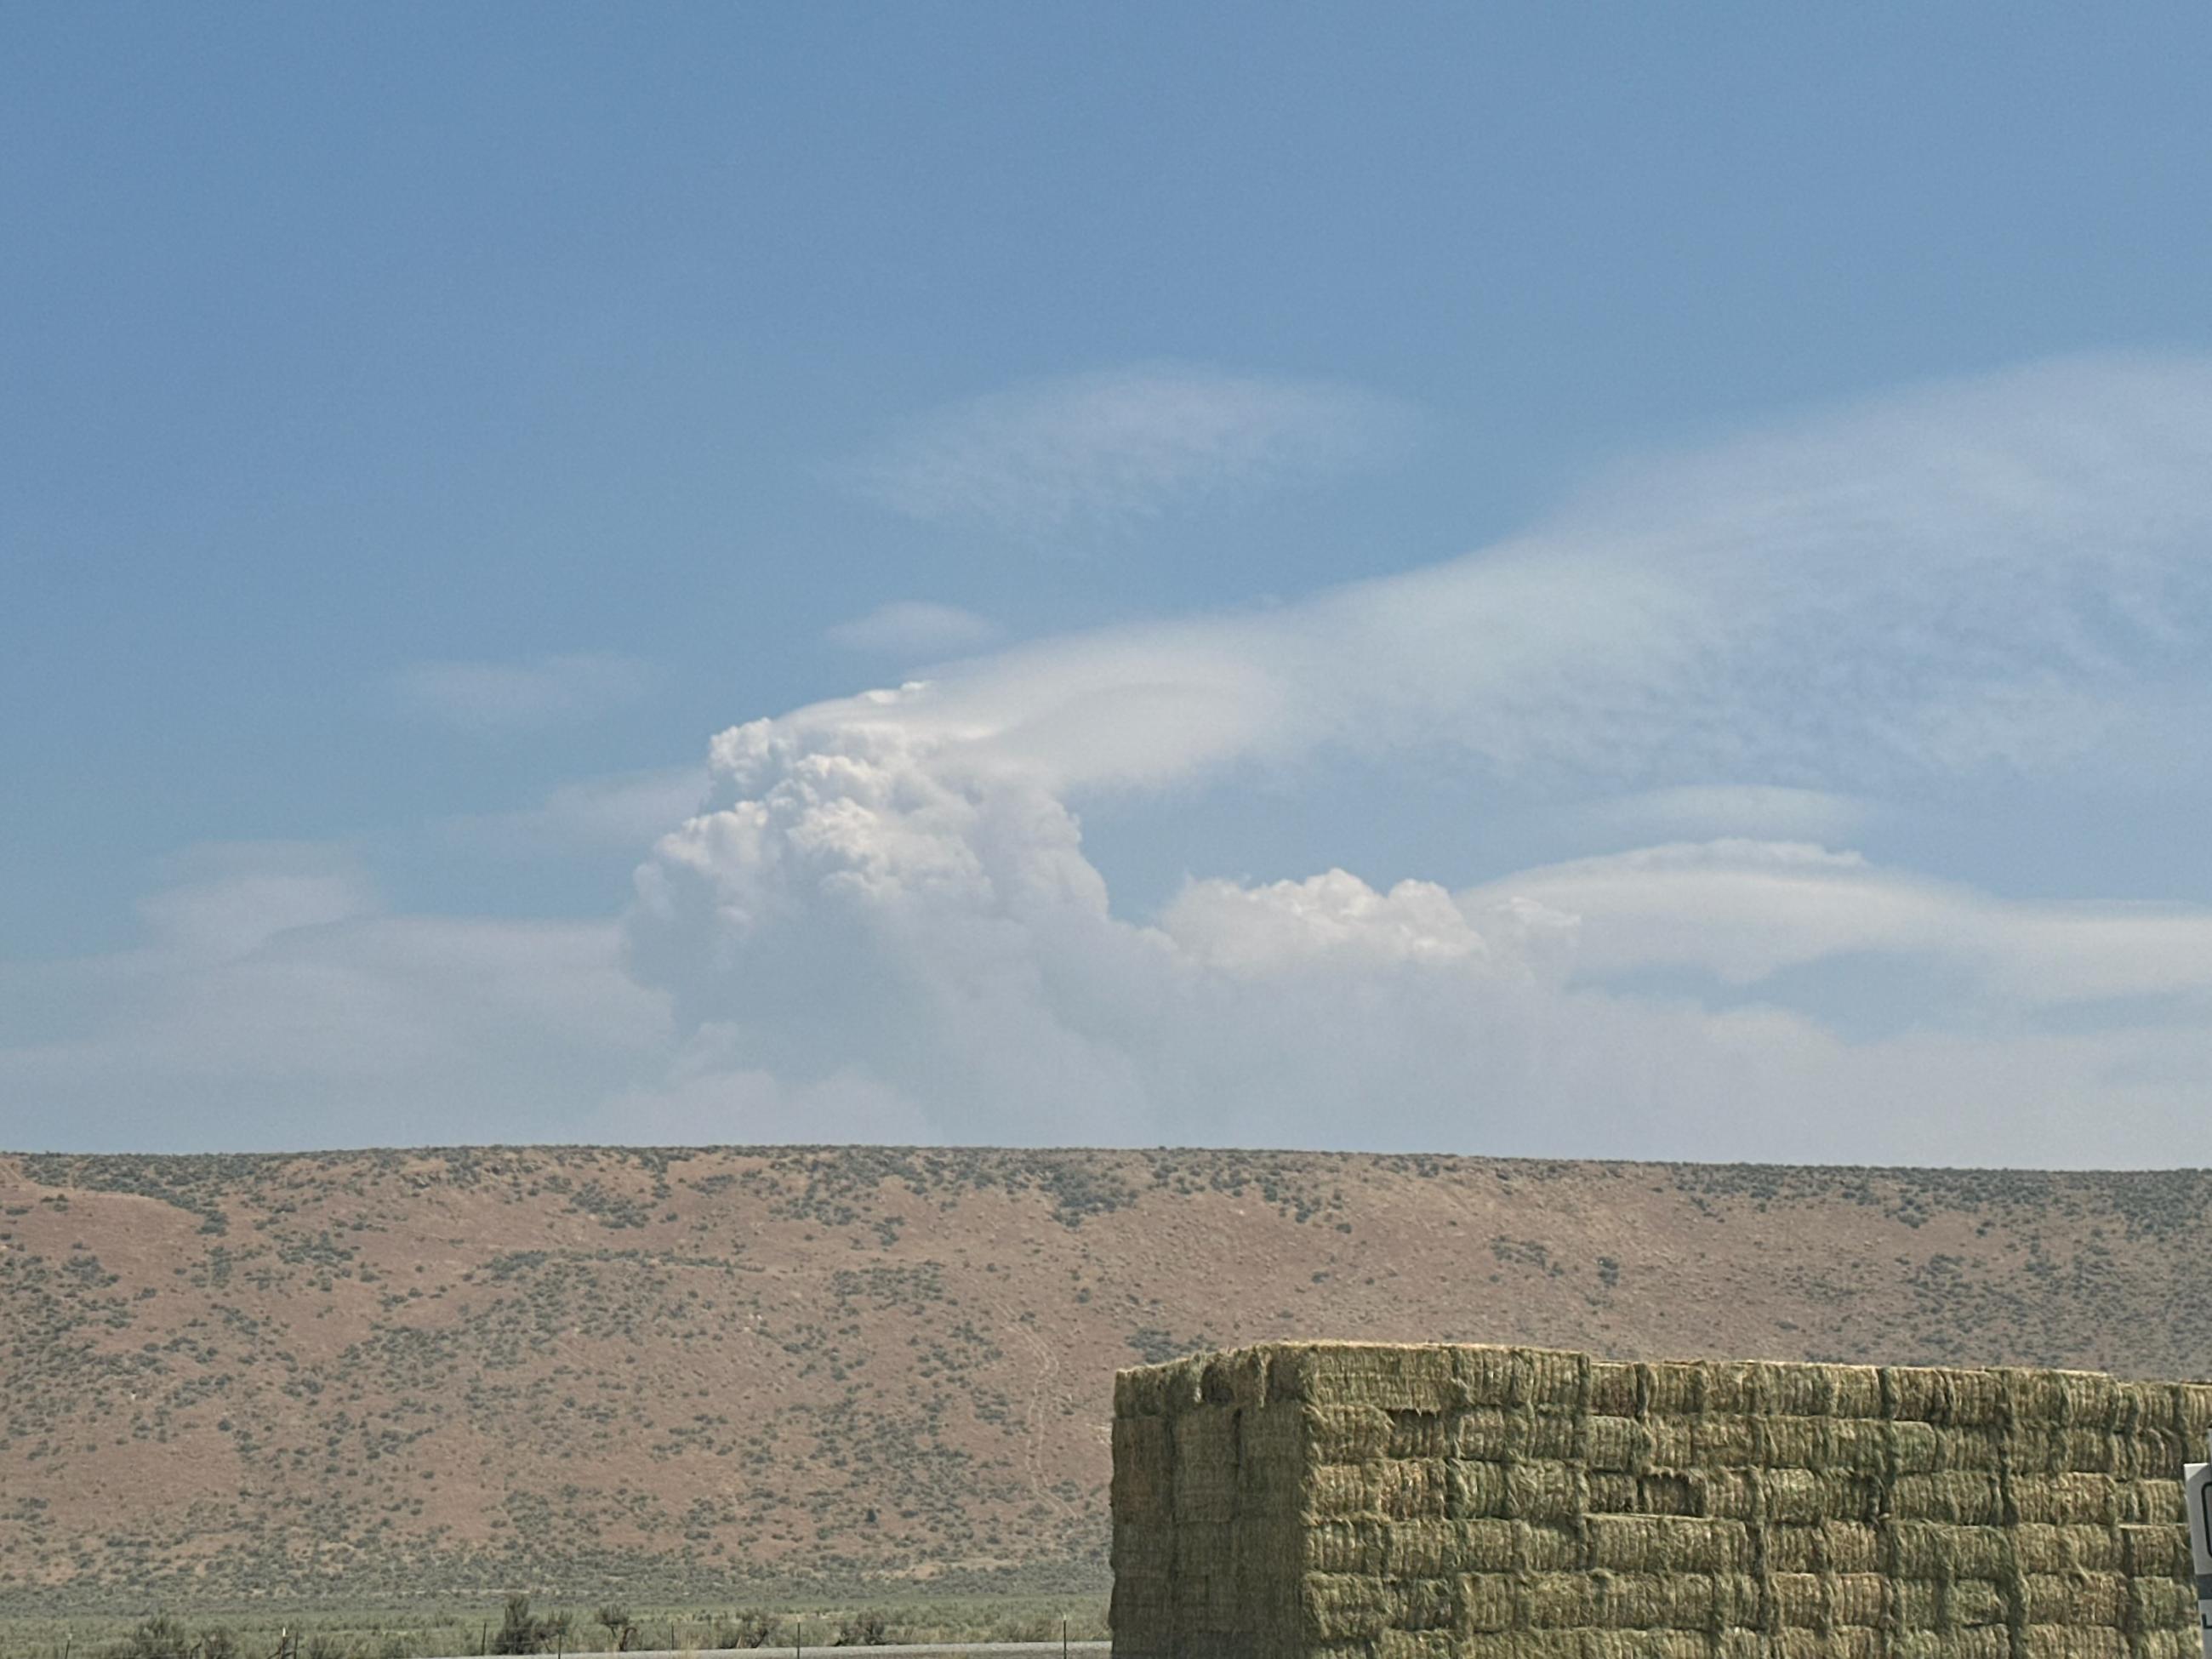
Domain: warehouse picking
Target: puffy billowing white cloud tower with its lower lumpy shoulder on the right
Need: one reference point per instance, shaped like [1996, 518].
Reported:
[870, 899]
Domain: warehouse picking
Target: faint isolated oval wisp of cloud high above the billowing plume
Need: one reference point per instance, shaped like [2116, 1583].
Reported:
[1100, 450]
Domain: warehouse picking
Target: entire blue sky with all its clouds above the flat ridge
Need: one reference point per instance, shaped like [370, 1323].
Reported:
[1627, 581]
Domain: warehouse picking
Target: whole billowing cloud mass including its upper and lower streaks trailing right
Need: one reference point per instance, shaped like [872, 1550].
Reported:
[1974, 581]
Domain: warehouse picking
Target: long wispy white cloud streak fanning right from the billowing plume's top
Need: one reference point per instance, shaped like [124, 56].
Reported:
[1972, 578]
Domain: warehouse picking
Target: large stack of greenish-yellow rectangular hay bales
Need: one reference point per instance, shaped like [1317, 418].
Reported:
[1503, 1503]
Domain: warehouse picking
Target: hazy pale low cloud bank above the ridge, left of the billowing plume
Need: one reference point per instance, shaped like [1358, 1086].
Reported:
[280, 1003]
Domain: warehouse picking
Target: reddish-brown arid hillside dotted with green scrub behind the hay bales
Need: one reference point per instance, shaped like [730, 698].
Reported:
[687, 1373]
